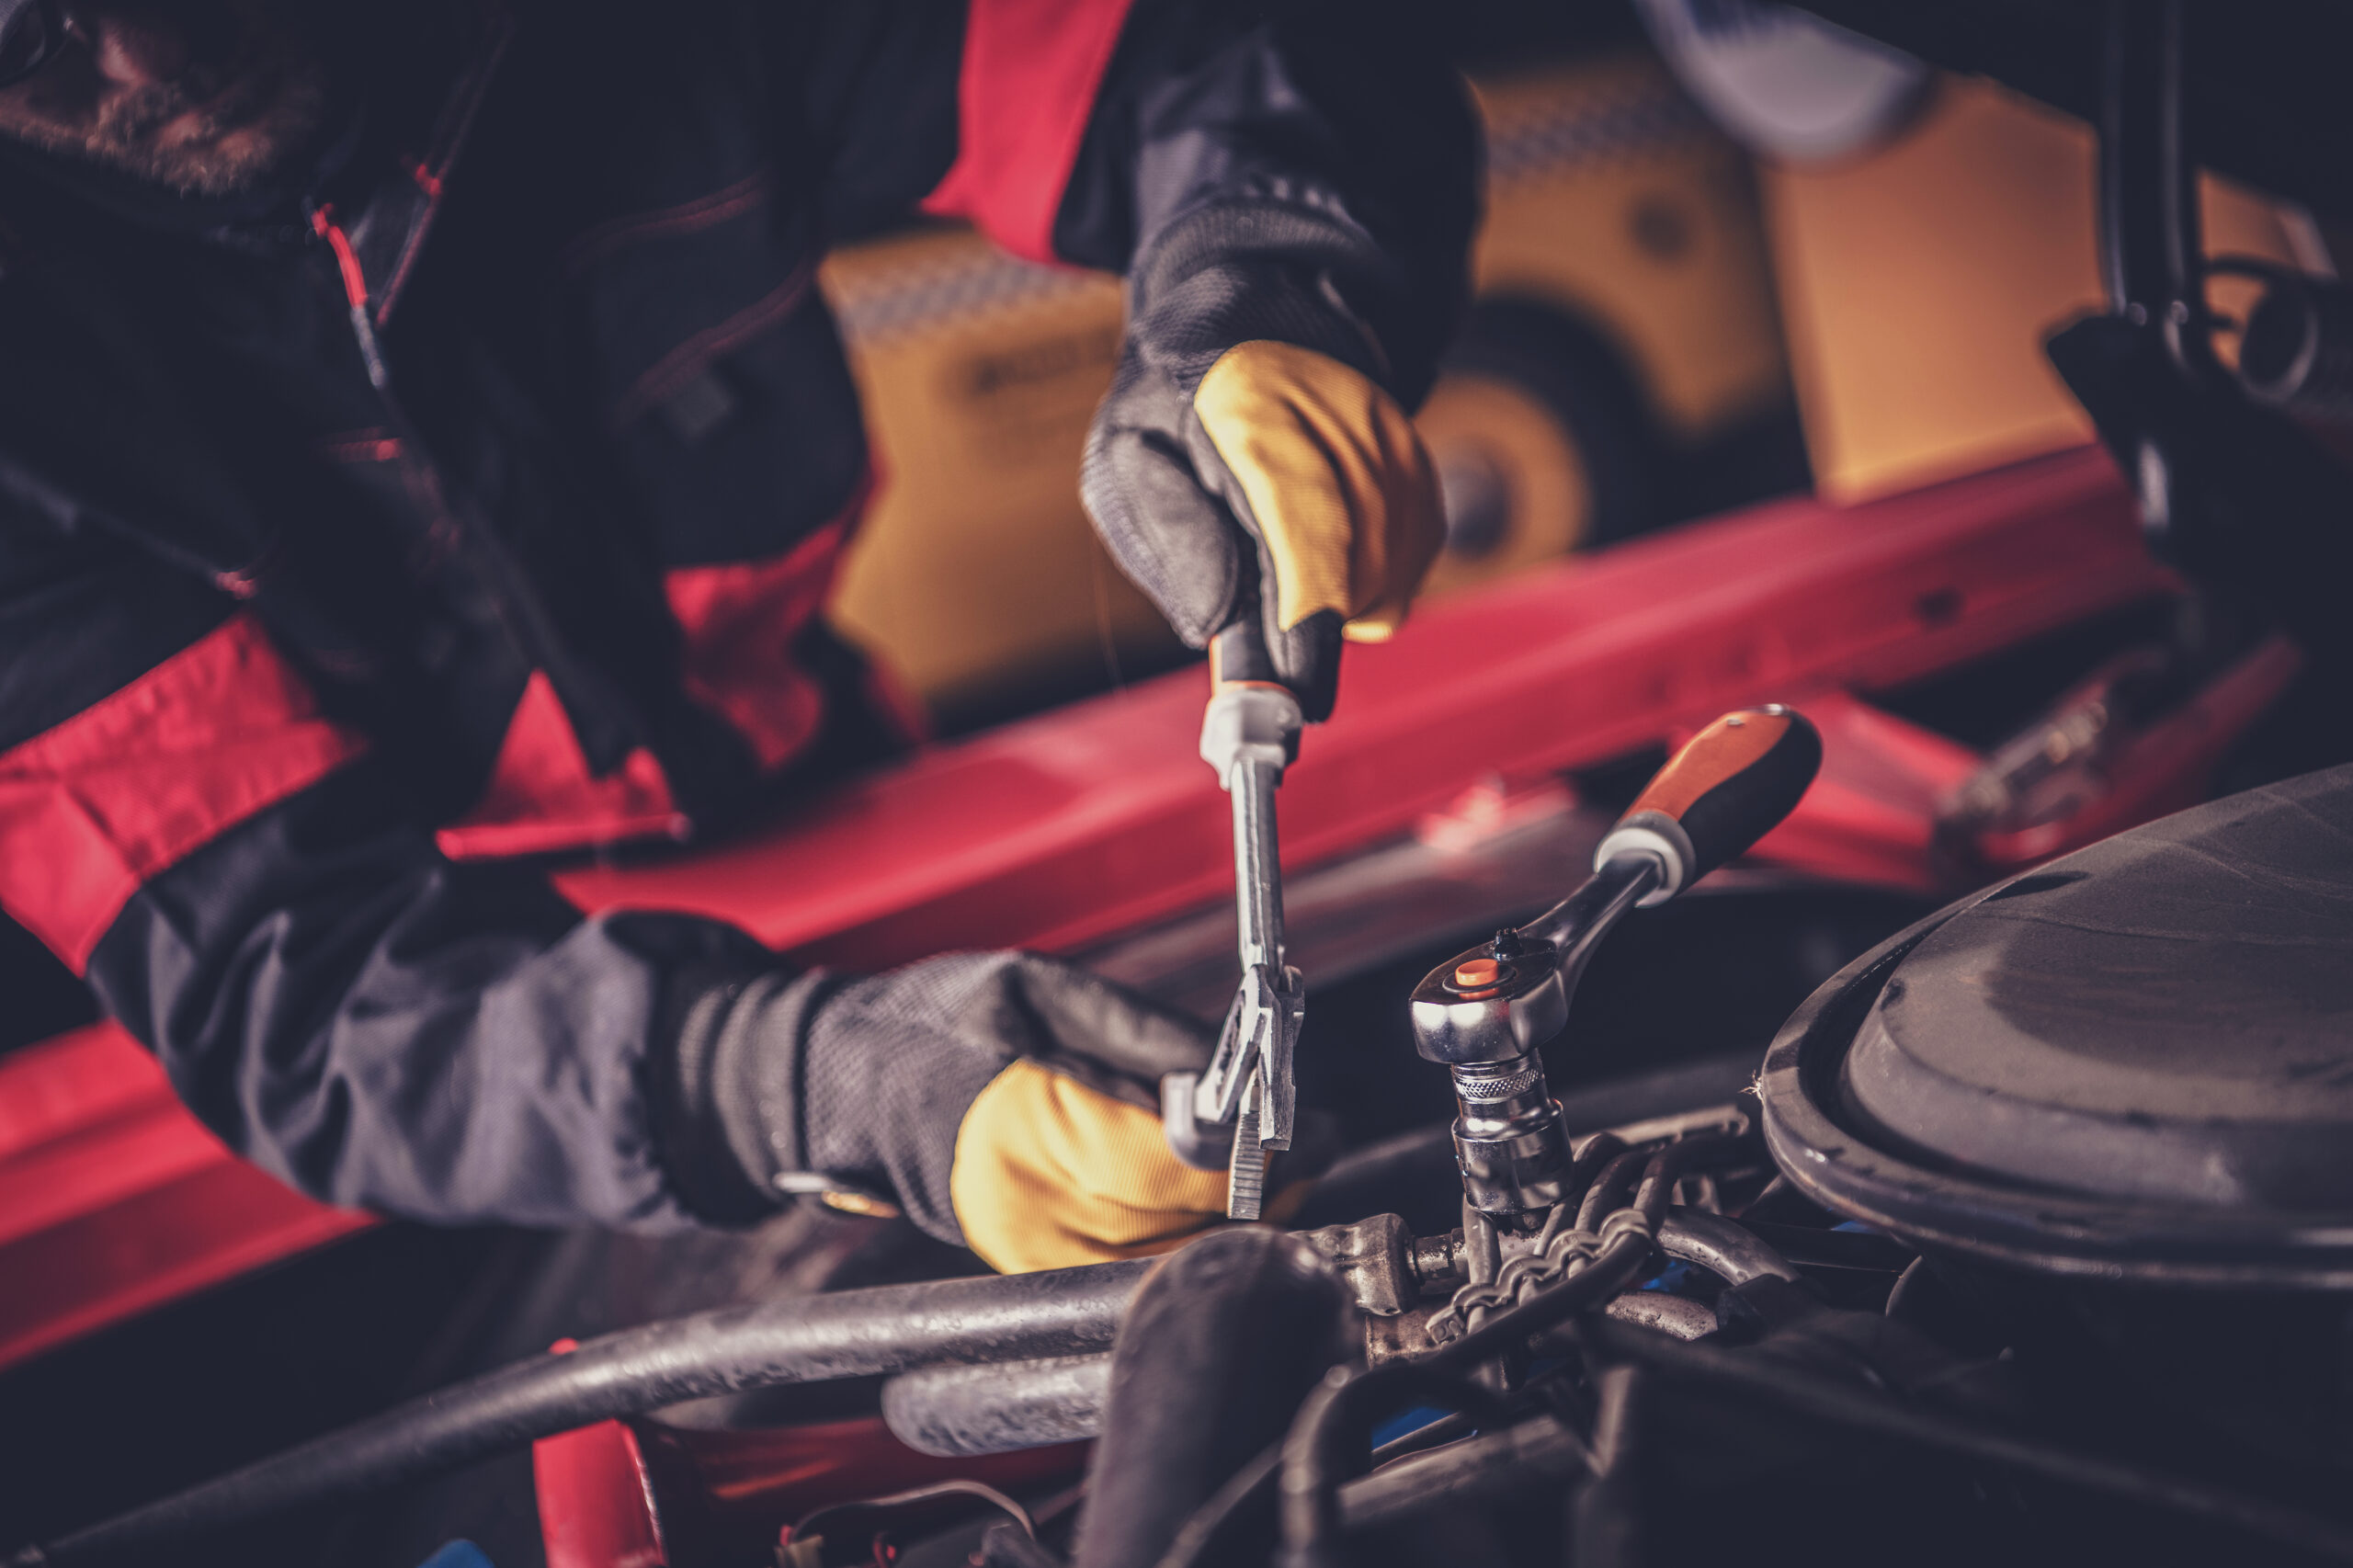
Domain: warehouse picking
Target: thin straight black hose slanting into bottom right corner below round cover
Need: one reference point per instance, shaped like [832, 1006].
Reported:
[1844, 1407]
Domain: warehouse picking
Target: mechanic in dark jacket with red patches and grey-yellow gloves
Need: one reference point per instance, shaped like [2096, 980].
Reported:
[422, 446]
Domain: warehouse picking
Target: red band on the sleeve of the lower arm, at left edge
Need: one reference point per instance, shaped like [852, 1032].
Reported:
[128, 788]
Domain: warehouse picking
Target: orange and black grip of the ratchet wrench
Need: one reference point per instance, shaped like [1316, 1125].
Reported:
[1728, 788]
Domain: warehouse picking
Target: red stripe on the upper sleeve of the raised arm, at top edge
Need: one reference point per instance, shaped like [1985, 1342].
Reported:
[1022, 102]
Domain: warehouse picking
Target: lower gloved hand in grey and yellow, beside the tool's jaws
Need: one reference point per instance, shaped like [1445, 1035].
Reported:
[1004, 1101]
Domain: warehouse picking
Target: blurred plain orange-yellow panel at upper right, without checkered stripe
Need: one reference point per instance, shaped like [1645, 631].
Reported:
[1921, 281]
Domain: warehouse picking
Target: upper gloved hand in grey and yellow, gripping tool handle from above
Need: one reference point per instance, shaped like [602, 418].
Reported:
[1248, 425]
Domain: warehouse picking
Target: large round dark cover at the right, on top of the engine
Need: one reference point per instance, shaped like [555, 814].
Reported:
[2133, 1063]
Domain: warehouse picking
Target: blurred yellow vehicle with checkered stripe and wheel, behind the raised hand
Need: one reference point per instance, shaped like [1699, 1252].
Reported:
[978, 576]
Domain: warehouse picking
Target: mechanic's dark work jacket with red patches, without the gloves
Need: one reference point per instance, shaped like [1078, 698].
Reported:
[481, 500]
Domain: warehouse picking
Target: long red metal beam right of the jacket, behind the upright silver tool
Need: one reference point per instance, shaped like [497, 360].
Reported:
[1100, 818]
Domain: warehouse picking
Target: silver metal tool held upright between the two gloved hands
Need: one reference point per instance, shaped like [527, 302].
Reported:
[1248, 736]
